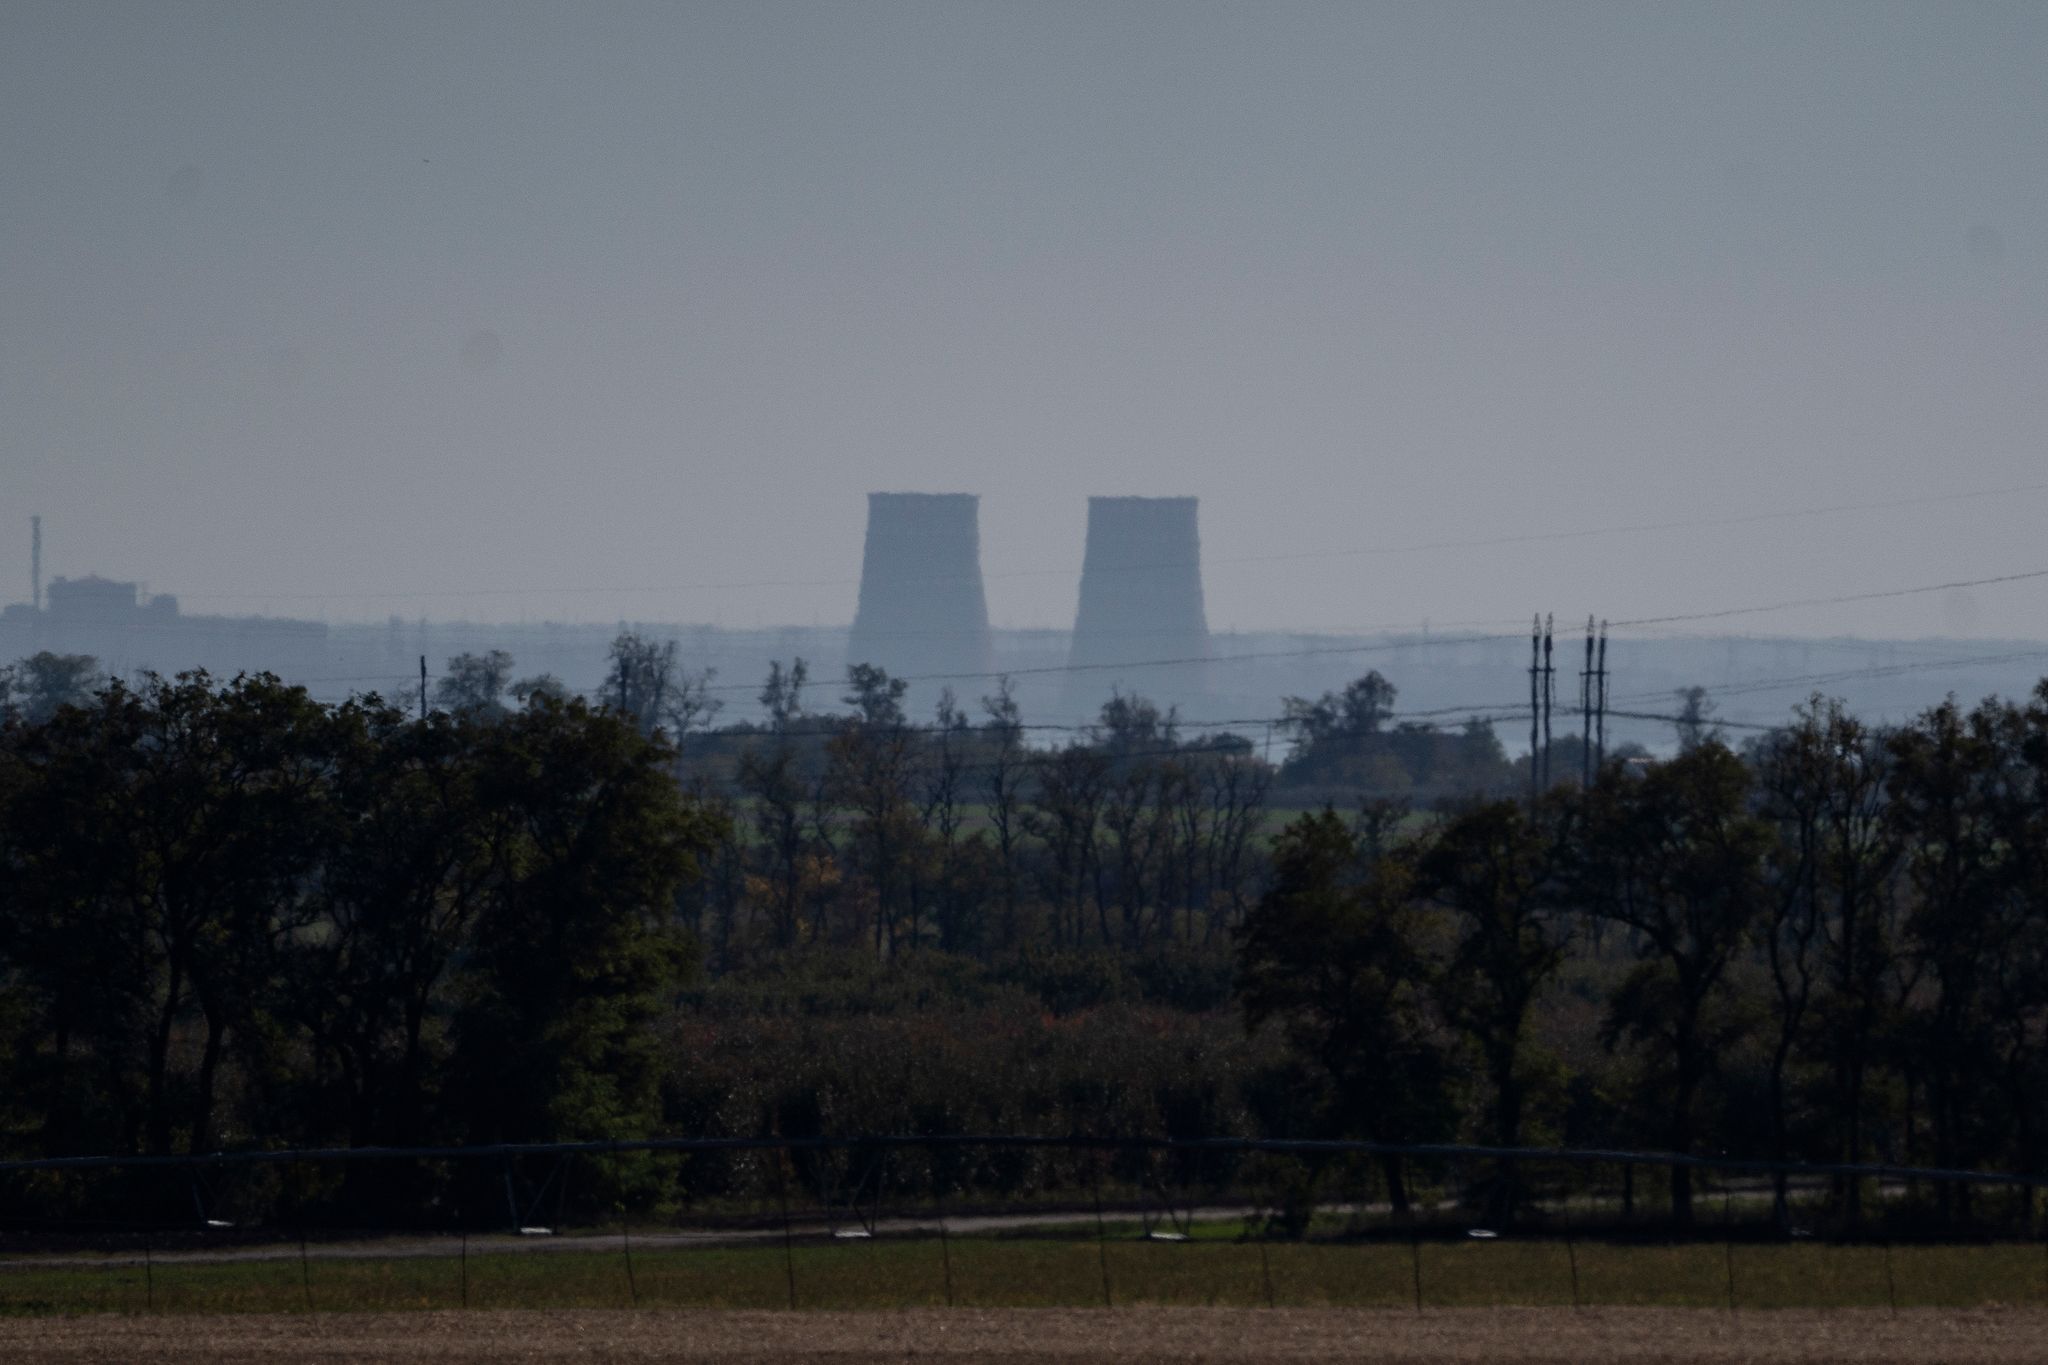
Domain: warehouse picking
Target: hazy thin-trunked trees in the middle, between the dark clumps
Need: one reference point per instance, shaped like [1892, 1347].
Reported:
[968, 838]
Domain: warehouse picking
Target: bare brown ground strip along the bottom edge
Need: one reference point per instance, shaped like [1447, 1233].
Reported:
[1066, 1337]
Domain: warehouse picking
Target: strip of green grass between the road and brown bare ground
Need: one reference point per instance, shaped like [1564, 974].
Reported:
[1033, 1272]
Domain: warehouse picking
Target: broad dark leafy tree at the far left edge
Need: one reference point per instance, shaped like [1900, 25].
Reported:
[161, 848]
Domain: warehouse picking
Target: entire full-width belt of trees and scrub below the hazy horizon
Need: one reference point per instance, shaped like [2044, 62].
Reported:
[234, 916]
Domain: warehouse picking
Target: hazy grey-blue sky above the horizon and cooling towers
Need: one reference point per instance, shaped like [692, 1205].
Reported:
[622, 310]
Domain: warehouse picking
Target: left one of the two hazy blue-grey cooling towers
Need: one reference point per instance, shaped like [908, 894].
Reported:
[921, 588]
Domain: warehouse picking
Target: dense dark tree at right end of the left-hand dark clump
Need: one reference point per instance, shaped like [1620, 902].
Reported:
[574, 951]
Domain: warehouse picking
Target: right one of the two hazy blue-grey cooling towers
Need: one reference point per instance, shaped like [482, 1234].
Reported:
[1142, 597]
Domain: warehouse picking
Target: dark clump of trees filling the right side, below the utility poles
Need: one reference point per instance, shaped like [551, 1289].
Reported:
[1832, 946]
